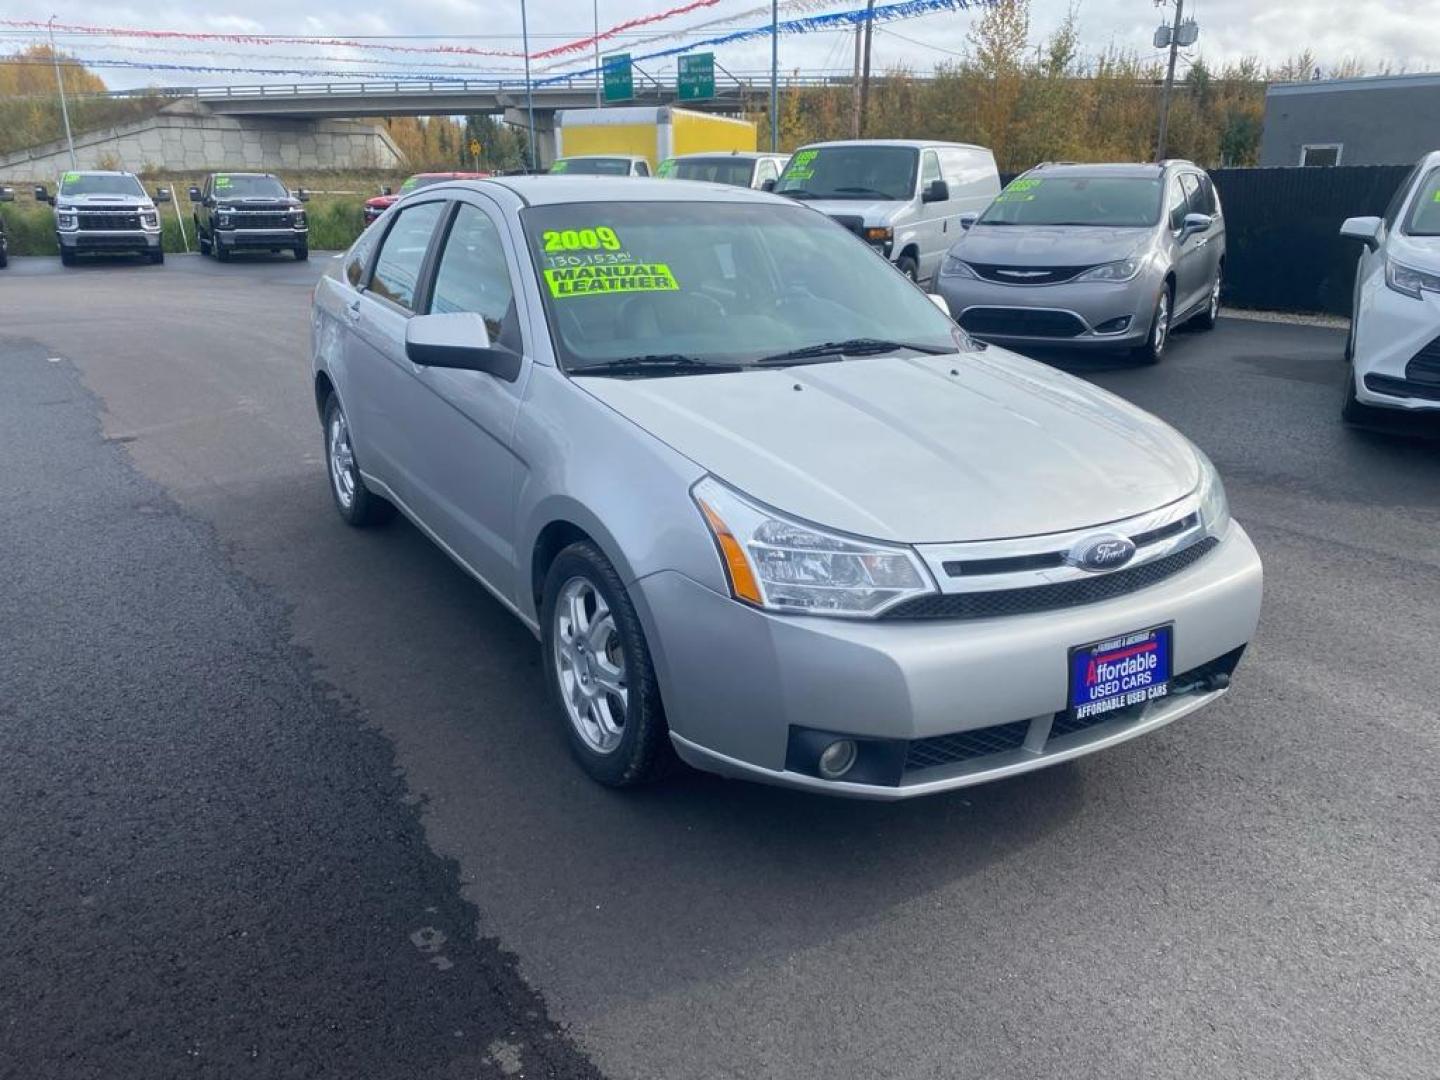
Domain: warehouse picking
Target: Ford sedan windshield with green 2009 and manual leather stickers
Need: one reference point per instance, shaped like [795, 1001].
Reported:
[718, 284]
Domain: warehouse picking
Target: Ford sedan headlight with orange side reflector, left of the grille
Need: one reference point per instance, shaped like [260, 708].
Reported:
[781, 565]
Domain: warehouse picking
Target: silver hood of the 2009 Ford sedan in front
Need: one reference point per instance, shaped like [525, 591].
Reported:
[931, 450]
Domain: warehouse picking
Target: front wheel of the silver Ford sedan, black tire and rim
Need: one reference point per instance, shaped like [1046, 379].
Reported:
[600, 670]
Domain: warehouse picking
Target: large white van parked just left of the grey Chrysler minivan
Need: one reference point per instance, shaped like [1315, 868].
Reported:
[904, 197]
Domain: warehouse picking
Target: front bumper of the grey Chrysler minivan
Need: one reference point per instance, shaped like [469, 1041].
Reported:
[1081, 312]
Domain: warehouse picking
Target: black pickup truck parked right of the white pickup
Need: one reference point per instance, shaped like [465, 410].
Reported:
[250, 212]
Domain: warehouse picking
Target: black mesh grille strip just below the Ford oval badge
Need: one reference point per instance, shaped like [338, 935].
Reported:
[987, 606]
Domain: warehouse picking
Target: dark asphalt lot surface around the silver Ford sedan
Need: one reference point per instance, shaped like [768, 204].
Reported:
[283, 798]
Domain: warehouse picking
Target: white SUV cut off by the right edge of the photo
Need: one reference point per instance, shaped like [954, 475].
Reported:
[1395, 341]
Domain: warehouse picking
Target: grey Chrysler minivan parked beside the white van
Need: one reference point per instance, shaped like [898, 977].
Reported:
[1092, 256]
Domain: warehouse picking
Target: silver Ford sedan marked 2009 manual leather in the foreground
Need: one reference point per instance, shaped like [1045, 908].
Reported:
[761, 500]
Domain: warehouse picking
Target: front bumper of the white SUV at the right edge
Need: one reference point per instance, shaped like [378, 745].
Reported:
[1393, 336]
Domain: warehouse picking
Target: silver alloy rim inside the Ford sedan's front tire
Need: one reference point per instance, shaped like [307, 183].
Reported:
[590, 665]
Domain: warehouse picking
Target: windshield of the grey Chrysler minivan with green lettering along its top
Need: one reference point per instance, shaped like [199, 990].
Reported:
[1114, 201]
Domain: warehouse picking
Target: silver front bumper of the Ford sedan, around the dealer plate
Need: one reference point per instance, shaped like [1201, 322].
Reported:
[739, 683]
